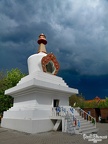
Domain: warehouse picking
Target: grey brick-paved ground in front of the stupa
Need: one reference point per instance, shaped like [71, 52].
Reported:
[8, 136]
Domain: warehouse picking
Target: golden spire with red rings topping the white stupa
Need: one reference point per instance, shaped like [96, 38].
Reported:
[42, 42]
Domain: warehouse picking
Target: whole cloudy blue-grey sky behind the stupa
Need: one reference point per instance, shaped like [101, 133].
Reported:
[76, 31]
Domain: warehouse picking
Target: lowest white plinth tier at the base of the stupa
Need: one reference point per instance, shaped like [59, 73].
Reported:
[29, 126]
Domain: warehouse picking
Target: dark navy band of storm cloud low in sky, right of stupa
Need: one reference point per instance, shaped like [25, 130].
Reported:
[89, 86]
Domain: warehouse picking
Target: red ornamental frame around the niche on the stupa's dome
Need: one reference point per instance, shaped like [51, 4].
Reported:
[48, 58]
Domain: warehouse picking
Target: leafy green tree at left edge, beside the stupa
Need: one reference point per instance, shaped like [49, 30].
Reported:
[8, 80]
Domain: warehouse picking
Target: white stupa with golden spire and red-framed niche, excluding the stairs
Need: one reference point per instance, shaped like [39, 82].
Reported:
[36, 94]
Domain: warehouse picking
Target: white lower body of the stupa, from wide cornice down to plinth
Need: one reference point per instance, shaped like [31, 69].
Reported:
[33, 102]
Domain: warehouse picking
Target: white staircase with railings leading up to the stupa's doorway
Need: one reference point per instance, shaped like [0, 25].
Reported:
[76, 121]
